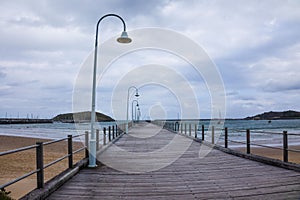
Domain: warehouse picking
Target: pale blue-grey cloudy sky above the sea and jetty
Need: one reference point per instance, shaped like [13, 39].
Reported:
[255, 46]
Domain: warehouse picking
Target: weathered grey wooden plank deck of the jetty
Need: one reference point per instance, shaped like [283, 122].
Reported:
[216, 176]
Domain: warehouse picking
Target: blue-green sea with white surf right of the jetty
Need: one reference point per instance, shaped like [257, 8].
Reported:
[263, 132]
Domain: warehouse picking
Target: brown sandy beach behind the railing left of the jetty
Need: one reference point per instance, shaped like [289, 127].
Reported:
[15, 165]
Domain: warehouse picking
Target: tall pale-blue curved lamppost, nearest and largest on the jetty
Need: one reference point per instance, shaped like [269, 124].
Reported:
[122, 39]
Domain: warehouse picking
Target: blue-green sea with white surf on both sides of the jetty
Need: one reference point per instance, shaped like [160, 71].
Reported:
[236, 131]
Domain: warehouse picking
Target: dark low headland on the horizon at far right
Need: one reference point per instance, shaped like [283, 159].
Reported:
[290, 114]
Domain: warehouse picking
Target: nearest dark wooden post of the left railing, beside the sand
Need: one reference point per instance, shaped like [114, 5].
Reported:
[40, 165]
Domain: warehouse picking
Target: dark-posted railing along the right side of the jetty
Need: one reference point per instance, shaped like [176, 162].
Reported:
[193, 129]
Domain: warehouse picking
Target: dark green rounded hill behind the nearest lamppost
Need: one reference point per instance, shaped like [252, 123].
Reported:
[81, 117]
